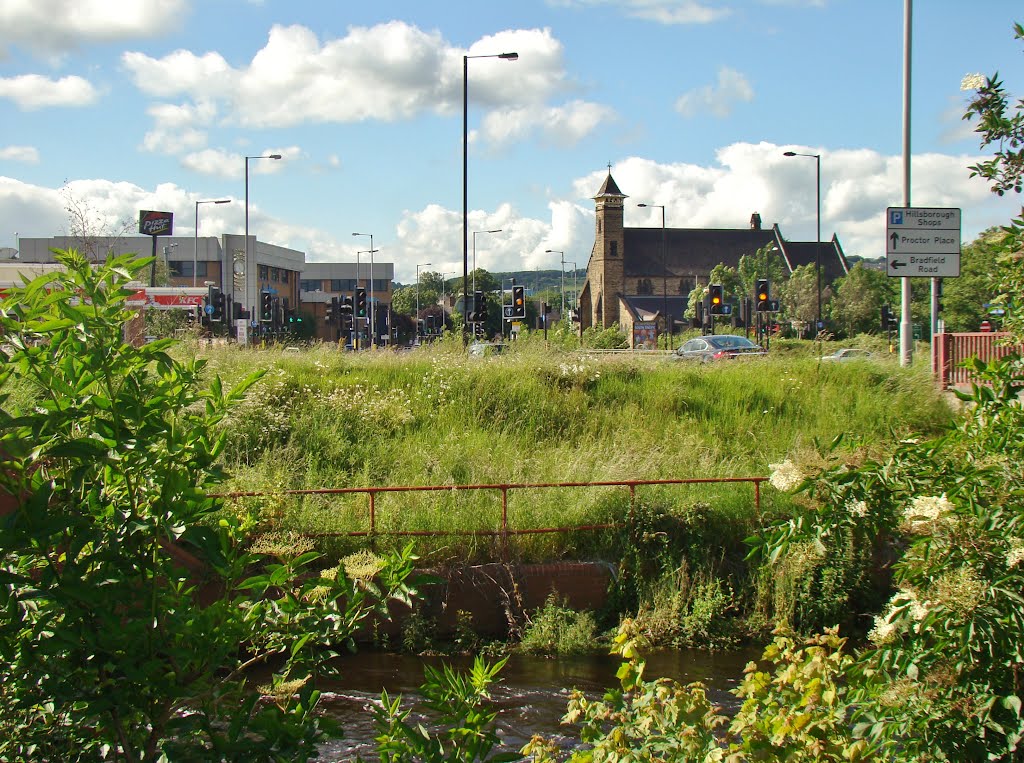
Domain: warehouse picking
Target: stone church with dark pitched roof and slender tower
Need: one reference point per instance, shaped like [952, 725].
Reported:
[642, 278]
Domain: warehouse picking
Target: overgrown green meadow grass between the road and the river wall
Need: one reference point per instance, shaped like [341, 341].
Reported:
[538, 414]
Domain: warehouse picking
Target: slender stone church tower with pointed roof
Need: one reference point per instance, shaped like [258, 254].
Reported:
[607, 274]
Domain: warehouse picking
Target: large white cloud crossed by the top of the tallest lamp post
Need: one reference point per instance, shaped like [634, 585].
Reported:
[389, 72]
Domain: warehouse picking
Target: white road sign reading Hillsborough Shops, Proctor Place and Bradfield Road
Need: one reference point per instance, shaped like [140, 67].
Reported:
[923, 242]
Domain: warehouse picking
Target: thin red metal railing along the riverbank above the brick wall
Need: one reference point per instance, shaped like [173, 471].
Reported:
[504, 490]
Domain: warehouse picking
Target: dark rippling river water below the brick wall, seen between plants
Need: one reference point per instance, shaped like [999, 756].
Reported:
[531, 695]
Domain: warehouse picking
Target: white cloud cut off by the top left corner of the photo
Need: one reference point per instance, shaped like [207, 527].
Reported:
[52, 27]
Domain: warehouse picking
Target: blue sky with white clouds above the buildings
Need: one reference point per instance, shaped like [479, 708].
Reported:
[112, 107]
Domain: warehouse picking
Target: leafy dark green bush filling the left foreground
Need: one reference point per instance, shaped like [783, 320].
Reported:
[131, 609]
